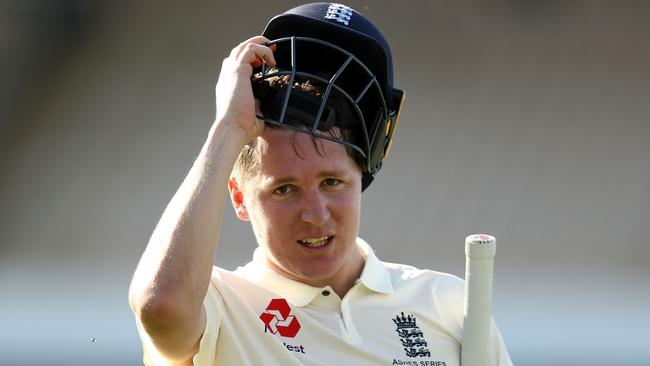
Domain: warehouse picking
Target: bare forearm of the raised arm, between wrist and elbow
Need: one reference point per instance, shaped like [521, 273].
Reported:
[174, 272]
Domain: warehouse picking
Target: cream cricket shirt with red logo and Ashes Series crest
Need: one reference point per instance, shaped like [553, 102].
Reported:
[394, 315]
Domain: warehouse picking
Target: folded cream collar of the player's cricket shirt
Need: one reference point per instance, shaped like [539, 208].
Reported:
[374, 276]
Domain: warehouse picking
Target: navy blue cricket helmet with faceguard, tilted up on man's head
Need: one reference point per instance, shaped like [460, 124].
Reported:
[338, 48]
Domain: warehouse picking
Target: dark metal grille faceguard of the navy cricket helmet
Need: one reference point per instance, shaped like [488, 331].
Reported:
[339, 73]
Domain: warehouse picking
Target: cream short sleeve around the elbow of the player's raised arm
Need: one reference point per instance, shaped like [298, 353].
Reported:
[213, 304]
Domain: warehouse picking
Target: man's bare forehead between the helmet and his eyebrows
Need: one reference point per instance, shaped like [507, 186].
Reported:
[285, 152]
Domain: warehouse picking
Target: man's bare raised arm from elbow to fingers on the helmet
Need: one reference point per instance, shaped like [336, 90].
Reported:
[173, 274]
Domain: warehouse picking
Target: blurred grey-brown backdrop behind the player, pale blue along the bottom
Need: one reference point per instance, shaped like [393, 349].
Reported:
[524, 119]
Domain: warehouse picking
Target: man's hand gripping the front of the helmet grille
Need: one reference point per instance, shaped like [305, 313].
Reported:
[235, 101]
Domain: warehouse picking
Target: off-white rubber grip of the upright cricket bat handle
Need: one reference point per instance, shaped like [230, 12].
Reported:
[479, 253]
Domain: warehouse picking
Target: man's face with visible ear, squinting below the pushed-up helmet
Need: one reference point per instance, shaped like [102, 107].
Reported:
[304, 206]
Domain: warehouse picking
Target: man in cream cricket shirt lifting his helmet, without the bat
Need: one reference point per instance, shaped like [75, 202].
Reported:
[305, 115]
